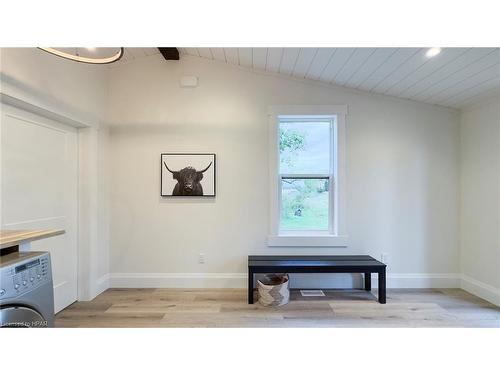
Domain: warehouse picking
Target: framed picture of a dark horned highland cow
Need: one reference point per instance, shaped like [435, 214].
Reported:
[188, 175]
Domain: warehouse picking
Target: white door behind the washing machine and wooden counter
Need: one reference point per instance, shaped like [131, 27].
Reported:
[39, 159]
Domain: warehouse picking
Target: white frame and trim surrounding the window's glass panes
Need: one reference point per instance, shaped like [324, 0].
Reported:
[336, 236]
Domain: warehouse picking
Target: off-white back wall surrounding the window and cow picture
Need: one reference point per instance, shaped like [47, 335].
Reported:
[402, 170]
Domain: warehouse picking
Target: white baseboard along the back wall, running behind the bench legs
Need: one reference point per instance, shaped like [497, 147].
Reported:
[239, 280]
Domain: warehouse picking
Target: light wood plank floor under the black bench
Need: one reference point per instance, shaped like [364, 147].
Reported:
[229, 308]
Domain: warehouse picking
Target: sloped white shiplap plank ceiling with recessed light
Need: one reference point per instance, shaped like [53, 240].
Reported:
[457, 77]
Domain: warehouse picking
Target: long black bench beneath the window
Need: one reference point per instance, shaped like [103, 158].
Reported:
[318, 264]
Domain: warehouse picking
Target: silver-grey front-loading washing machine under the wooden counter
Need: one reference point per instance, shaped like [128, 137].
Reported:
[26, 290]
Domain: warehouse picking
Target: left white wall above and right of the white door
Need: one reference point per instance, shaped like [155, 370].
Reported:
[77, 92]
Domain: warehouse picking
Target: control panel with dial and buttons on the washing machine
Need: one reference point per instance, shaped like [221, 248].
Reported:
[24, 274]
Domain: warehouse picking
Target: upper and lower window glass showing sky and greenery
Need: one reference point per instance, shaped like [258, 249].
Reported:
[305, 174]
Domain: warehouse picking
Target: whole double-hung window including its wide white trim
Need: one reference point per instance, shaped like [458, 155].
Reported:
[307, 181]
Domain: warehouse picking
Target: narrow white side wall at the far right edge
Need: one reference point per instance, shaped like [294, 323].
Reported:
[480, 200]
